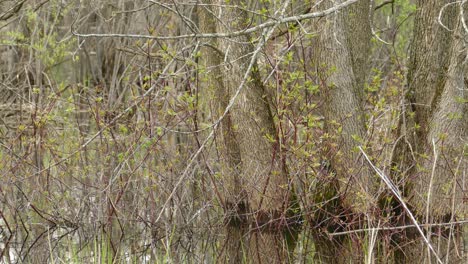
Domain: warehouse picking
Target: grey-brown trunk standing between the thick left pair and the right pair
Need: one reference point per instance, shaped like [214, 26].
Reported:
[343, 108]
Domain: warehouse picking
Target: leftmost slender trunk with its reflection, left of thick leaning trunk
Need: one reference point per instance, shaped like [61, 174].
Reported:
[216, 96]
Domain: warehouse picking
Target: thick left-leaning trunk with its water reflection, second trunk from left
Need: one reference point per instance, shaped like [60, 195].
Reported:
[264, 181]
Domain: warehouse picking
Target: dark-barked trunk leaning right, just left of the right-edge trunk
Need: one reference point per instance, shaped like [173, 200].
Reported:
[428, 64]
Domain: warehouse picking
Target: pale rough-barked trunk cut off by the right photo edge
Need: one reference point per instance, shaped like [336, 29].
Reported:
[448, 127]
